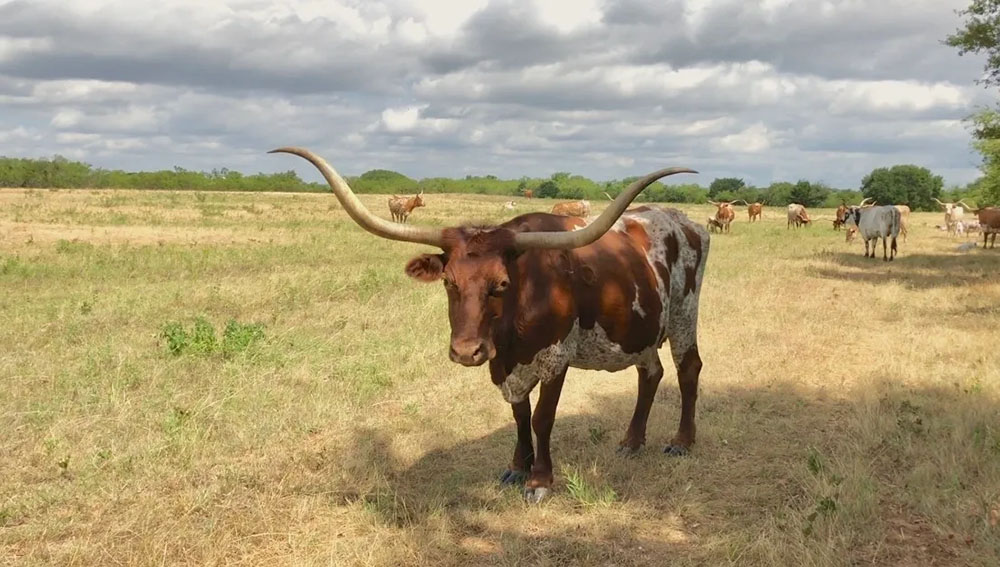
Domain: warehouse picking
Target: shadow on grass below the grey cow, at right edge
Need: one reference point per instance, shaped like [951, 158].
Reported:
[914, 271]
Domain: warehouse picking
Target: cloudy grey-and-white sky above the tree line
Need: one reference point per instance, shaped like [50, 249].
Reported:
[764, 90]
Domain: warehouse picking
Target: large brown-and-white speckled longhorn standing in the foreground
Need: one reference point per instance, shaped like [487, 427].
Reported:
[541, 292]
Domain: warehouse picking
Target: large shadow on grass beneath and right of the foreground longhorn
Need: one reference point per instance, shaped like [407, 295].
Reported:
[767, 458]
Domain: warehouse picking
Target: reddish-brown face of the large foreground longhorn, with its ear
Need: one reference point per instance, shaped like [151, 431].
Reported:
[477, 282]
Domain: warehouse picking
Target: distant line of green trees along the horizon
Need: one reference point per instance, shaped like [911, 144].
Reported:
[901, 184]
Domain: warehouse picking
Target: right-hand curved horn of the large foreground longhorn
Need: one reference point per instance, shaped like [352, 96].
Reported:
[566, 240]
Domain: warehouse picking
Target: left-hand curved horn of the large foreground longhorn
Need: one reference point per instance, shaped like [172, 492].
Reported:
[358, 212]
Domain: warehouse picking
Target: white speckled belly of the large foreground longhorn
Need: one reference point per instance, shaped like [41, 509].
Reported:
[587, 349]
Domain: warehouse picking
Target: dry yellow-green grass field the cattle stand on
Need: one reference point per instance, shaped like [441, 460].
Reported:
[249, 379]
